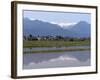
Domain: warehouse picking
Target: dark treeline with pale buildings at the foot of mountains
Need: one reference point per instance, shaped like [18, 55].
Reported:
[58, 37]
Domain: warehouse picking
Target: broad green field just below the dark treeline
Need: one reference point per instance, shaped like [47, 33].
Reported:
[53, 43]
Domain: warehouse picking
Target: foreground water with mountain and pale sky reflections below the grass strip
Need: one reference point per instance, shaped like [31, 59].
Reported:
[52, 60]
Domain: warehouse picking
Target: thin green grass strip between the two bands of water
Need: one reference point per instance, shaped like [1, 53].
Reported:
[52, 51]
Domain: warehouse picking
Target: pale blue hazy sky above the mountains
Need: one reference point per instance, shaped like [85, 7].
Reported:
[57, 17]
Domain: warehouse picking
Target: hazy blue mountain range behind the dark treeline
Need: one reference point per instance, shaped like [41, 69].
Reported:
[39, 27]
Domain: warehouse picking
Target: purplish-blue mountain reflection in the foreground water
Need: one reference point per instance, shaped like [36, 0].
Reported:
[40, 57]
